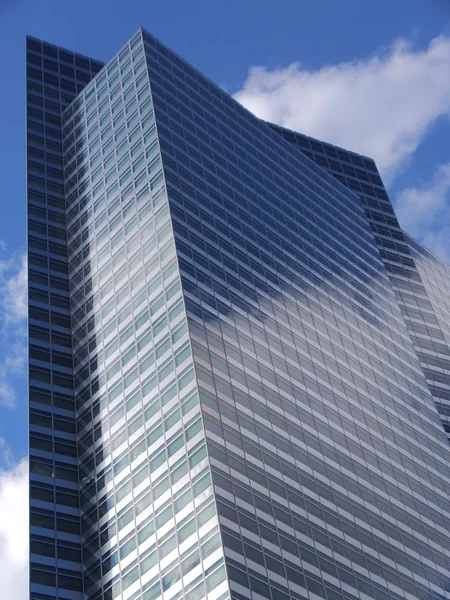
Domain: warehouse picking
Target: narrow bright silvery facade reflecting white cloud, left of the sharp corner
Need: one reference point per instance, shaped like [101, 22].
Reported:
[149, 520]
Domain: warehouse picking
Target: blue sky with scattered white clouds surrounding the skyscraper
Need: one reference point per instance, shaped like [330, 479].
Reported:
[372, 76]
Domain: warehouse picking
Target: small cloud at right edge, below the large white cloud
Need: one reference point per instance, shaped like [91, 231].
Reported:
[424, 212]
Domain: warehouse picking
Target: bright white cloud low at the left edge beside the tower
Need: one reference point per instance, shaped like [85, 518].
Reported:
[14, 532]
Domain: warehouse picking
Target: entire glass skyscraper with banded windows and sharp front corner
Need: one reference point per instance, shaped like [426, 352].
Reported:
[226, 397]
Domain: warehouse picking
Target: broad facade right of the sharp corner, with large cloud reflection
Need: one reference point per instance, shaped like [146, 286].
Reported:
[329, 462]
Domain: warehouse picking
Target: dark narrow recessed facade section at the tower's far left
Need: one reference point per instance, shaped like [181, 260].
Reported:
[54, 77]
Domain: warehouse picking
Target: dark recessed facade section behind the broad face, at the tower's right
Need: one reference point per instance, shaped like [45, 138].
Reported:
[409, 282]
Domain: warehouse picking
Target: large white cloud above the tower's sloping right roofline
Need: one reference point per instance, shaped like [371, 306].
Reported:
[381, 106]
